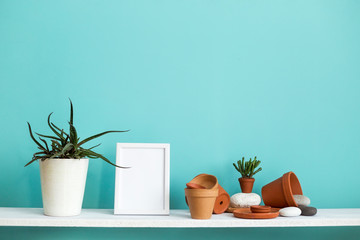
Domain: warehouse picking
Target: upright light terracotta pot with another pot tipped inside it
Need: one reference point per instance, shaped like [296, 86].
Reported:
[201, 202]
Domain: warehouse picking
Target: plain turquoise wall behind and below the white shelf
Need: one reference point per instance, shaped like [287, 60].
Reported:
[217, 80]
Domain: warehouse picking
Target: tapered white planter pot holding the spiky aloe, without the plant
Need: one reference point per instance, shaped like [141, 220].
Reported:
[62, 186]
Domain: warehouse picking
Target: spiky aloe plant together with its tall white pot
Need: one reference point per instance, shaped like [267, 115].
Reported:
[63, 167]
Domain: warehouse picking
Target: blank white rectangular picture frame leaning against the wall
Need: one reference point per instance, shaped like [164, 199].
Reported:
[143, 188]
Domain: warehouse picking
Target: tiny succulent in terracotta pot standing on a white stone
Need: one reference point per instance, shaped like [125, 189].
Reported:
[247, 169]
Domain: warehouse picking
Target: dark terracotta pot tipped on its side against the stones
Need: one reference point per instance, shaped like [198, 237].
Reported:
[279, 193]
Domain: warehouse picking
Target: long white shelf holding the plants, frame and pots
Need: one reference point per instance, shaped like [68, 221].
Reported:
[178, 219]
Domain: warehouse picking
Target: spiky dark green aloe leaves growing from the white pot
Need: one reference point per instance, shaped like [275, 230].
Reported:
[65, 145]
